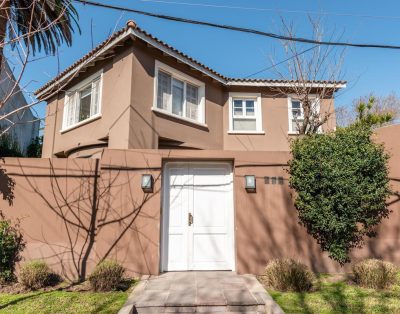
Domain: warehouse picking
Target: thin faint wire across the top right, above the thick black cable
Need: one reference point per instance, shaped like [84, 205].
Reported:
[208, 5]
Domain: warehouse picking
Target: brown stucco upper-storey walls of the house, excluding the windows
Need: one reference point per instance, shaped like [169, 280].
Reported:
[128, 119]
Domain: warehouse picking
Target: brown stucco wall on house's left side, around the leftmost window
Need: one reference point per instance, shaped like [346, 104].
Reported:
[115, 104]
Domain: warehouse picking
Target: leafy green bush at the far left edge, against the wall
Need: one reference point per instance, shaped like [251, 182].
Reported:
[11, 246]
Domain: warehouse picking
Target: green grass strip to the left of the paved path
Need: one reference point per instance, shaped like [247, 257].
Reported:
[63, 302]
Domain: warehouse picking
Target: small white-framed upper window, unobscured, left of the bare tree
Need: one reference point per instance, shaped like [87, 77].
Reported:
[245, 113]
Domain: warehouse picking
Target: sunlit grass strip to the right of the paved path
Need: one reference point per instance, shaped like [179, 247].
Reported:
[339, 297]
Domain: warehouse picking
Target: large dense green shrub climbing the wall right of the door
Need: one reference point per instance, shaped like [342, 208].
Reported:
[341, 184]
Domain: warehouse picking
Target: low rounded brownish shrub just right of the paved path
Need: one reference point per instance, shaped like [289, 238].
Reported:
[288, 275]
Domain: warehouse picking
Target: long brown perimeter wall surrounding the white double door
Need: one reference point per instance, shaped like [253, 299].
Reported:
[72, 225]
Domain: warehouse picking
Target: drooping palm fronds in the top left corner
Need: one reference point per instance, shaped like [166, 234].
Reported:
[39, 24]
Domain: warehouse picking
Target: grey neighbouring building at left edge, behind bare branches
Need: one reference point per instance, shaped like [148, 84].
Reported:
[22, 125]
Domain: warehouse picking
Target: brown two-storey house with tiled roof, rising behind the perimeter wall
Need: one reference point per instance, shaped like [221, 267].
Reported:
[134, 91]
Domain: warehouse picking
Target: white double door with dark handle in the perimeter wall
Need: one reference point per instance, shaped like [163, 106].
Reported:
[198, 223]
